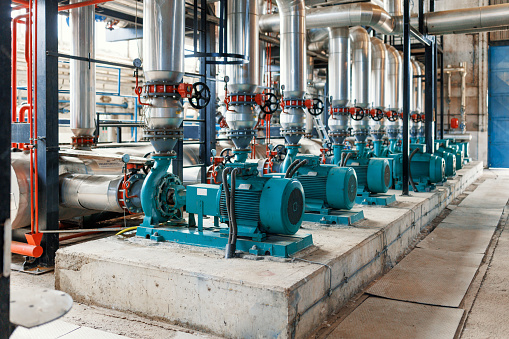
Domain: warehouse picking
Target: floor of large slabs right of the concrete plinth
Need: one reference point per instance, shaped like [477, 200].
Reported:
[429, 290]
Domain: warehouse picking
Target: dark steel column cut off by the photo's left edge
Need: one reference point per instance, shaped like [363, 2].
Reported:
[5, 161]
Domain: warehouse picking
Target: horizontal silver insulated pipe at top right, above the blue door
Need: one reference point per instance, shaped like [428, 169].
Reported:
[468, 20]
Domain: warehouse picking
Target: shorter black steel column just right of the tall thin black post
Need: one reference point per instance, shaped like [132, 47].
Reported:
[430, 72]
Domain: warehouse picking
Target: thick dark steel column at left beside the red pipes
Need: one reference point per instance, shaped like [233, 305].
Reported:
[47, 111]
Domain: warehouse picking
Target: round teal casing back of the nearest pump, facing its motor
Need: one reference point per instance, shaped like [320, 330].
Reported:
[168, 196]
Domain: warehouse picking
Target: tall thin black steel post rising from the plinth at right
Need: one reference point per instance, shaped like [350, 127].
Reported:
[406, 94]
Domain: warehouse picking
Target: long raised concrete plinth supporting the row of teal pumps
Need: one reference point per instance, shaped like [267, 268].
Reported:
[244, 298]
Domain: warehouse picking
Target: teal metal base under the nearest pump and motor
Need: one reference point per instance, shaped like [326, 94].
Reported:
[282, 246]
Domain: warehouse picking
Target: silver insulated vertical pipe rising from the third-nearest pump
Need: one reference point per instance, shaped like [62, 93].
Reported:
[293, 49]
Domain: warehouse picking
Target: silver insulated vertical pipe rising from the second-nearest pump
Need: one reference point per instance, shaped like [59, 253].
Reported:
[243, 39]
